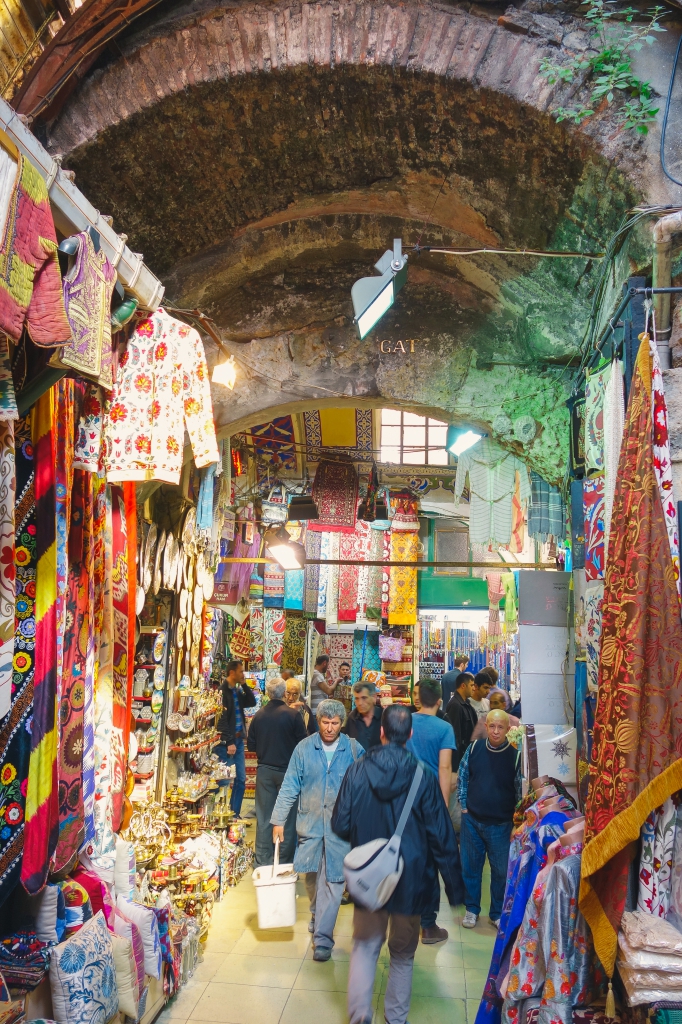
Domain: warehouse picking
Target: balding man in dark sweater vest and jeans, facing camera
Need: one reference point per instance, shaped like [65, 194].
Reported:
[490, 788]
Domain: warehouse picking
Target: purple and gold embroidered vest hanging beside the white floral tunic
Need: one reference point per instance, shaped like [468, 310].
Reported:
[89, 287]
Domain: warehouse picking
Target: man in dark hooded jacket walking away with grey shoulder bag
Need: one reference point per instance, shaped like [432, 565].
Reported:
[369, 805]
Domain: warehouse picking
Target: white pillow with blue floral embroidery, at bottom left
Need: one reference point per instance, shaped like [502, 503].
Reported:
[83, 977]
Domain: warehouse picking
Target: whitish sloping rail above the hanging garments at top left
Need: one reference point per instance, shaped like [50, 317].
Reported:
[73, 212]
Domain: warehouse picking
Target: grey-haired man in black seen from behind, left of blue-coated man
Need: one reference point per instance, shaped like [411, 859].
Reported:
[274, 734]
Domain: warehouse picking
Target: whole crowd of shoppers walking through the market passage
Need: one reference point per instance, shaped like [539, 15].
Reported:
[327, 784]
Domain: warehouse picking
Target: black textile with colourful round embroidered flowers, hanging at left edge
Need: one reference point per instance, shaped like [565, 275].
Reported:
[15, 728]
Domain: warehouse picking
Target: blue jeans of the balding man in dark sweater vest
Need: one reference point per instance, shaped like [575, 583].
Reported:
[477, 840]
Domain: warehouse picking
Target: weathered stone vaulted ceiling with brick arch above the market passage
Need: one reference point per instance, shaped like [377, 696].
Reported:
[264, 157]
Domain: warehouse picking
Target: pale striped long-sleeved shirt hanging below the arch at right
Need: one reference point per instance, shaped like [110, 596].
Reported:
[492, 474]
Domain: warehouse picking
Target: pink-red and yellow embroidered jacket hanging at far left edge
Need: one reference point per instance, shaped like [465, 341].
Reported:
[30, 278]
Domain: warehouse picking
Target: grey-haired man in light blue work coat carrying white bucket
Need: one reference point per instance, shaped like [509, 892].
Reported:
[314, 779]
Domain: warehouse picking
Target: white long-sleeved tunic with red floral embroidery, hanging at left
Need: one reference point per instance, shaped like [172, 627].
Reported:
[162, 387]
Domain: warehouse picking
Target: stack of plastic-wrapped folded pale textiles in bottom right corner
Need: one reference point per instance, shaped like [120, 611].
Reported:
[650, 959]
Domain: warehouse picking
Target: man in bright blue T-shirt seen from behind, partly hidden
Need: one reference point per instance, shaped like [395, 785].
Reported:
[433, 743]
